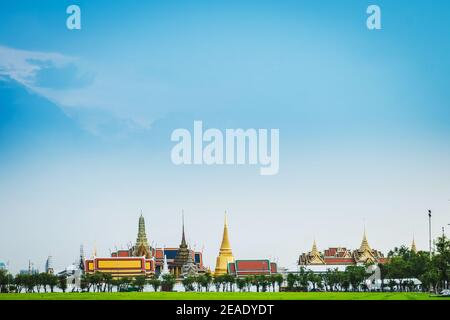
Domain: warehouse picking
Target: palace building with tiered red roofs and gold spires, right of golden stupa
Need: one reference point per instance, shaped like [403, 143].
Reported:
[340, 256]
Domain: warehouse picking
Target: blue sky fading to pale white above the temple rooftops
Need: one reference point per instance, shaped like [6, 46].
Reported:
[86, 117]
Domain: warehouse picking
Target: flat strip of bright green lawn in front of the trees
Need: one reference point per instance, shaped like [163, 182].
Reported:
[222, 296]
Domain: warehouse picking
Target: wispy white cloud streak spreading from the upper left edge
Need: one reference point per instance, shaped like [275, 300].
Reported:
[87, 94]
